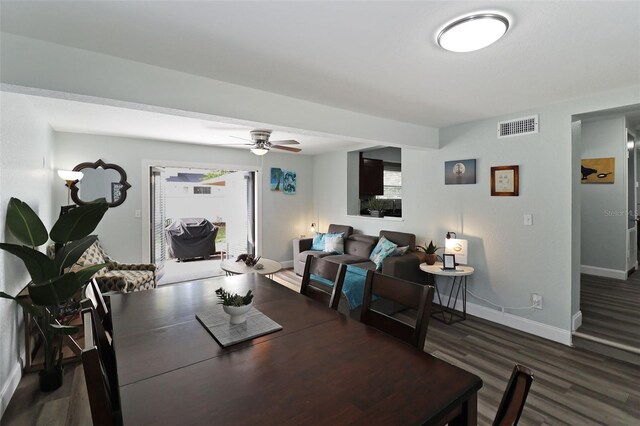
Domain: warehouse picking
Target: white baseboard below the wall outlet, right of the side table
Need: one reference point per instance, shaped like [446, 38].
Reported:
[519, 323]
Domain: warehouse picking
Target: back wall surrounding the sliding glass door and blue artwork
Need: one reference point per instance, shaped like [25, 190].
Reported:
[284, 217]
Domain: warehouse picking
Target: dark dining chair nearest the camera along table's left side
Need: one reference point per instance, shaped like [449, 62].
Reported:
[98, 362]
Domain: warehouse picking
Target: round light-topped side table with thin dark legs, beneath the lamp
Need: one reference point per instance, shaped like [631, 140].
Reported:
[459, 284]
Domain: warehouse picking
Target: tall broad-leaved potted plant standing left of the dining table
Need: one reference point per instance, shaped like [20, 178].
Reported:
[51, 288]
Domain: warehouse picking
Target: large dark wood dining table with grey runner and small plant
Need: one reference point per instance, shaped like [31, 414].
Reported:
[321, 368]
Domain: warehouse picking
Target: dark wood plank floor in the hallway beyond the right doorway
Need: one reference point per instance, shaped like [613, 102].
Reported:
[611, 308]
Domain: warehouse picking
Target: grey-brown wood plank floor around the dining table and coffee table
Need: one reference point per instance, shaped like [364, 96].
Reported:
[571, 386]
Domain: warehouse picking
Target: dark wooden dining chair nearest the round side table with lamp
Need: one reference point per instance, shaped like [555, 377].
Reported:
[412, 295]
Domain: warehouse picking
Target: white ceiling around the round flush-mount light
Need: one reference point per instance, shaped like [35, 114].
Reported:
[378, 58]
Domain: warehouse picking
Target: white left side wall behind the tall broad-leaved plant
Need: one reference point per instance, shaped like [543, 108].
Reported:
[25, 173]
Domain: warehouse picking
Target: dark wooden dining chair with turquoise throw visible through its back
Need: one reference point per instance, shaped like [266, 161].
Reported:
[318, 286]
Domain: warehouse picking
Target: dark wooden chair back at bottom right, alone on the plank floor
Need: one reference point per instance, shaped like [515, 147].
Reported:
[514, 397]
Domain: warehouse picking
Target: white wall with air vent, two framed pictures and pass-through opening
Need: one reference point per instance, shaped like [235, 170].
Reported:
[511, 260]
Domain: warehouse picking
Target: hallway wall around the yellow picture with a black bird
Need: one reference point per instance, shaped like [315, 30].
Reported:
[604, 211]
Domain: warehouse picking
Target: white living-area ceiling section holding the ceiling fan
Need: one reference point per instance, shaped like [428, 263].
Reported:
[77, 117]
